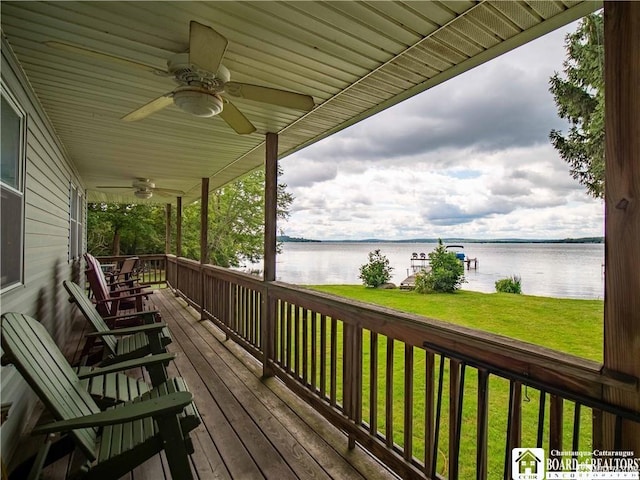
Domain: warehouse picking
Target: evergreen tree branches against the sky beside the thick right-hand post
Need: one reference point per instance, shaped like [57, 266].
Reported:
[579, 96]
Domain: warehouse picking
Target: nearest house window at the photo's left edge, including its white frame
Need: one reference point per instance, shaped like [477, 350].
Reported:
[12, 191]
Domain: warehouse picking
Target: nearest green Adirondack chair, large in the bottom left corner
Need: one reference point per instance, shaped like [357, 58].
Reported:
[113, 441]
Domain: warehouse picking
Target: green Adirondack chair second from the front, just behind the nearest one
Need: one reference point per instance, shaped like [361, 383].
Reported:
[122, 343]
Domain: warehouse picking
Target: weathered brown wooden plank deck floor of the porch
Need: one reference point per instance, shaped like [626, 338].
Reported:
[252, 428]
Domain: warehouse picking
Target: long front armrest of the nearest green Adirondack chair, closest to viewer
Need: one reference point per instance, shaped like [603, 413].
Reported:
[156, 407]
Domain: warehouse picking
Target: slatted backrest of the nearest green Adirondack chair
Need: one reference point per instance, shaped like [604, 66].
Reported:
[41, 363]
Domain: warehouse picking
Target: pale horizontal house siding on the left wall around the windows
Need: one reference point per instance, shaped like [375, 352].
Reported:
[47, 176]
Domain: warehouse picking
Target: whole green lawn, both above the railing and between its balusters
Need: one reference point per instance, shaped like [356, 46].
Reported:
[570, 326]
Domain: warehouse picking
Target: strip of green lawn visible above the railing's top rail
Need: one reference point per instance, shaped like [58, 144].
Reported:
[567, 325]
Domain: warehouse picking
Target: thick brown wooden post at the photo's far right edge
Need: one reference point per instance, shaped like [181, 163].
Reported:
[622, 210]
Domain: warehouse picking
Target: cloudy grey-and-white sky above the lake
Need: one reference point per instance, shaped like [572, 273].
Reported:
[469, 158]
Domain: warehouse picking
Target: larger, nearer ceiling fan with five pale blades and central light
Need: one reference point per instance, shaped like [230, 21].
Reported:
[204, 83]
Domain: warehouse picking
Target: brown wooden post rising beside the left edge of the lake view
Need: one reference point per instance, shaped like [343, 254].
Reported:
[269, 307]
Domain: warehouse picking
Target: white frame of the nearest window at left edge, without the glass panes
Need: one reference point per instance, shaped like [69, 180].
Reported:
[11, 100]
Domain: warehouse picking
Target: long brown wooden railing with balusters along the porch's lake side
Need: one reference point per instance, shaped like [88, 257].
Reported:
[428, 398]
